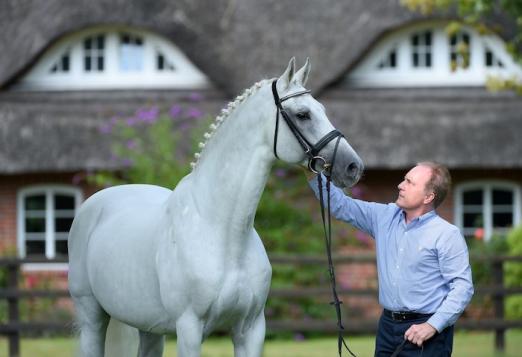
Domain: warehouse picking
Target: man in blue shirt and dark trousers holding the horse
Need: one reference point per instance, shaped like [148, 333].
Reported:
[422, 262]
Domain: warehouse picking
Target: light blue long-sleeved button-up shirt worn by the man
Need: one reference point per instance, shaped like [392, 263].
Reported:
[422, 266]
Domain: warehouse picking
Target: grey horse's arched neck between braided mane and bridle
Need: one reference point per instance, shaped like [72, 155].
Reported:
[230, 176]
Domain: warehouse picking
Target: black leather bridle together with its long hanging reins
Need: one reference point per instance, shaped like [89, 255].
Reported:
[312, 152]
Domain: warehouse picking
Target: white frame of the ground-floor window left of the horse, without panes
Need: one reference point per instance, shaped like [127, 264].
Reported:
[49, 191]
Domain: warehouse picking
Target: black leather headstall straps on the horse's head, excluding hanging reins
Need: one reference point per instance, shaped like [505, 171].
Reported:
[311, 151]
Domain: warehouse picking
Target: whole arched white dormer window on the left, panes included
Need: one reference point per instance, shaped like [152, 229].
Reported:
[112, 58]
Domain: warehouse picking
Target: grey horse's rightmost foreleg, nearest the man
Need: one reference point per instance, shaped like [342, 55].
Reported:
[249, 342]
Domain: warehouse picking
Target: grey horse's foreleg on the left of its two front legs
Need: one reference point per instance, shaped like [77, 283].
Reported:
[189, 331]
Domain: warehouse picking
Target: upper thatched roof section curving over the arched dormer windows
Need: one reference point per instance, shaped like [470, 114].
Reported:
[234, 42]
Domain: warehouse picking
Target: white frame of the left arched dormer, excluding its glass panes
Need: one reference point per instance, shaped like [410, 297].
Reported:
[185, 75]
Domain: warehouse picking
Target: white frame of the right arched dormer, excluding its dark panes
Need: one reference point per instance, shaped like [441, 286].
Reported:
[367, 73]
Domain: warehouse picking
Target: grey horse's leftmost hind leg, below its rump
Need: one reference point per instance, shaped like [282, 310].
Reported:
[93, 326]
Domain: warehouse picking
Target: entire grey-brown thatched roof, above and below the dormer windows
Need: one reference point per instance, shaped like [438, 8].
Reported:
[236, 43]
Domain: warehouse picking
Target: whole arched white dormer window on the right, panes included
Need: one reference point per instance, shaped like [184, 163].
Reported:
[425, 55]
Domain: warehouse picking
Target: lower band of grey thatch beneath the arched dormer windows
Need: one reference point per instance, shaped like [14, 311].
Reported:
[468, 128]
